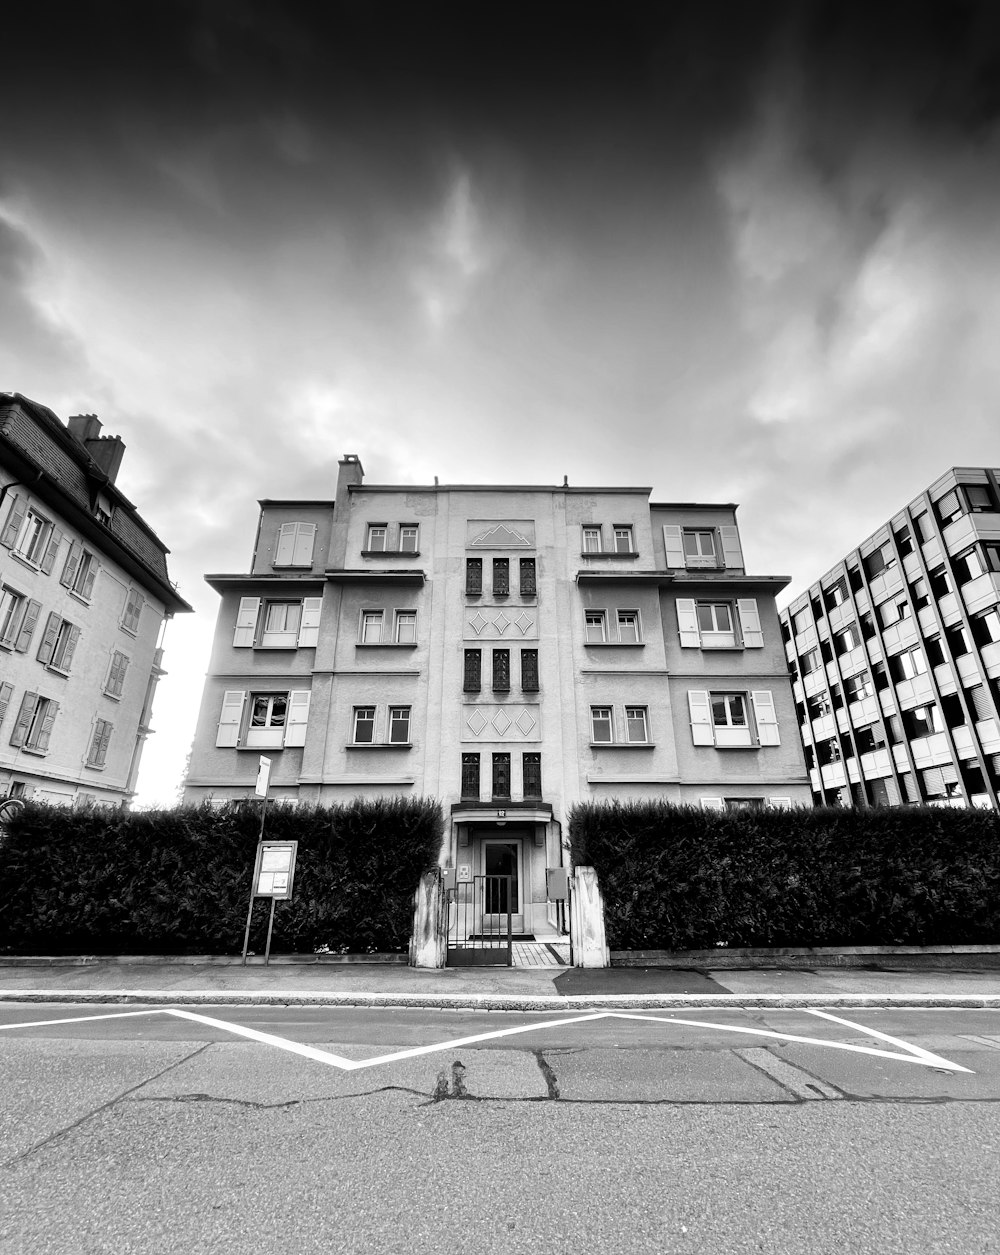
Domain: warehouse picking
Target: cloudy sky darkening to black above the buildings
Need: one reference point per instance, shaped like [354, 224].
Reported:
[735, 252]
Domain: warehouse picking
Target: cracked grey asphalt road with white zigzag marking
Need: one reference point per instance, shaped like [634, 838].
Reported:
[301, 1130]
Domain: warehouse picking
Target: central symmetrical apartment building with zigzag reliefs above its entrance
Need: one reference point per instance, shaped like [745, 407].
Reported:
[510, 651]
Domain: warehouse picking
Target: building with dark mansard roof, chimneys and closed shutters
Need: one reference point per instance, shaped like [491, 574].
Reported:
[85, 594]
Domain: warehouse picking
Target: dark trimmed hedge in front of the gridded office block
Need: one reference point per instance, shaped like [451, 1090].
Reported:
[678, 878]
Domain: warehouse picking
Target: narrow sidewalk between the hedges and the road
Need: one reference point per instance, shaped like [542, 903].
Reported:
[150, 981]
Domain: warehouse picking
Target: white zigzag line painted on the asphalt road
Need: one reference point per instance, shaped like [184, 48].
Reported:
[914, 1054]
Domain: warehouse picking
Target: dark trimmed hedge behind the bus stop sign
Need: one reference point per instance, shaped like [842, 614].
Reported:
[179, 882]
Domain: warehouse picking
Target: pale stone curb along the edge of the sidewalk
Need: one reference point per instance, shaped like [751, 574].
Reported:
[497, 1002]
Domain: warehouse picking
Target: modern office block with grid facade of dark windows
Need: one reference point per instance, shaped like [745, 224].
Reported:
[896, 656]
